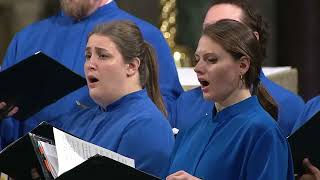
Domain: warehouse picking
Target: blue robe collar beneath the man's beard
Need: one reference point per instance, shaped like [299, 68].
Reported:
[105, 9]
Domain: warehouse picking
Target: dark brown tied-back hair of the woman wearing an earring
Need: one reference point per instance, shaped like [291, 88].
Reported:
[239, 40]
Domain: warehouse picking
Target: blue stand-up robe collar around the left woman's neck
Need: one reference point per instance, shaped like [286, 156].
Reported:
[124, 100]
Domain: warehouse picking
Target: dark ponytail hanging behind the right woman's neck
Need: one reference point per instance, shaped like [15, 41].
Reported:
[266, 101]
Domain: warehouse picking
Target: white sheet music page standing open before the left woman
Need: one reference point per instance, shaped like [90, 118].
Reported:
[72, 151]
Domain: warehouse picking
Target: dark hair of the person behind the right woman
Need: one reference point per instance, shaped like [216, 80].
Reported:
[251, 18]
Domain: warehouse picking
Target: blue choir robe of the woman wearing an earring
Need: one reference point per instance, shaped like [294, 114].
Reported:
[240, 142]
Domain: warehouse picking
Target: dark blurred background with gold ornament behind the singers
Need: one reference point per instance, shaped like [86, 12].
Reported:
[295, 29]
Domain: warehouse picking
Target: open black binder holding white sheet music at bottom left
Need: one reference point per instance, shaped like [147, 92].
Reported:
[19, 158]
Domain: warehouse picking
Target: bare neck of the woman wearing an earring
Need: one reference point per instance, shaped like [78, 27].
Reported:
[234, 98]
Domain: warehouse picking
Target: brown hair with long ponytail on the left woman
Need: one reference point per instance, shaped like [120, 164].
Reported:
[129, 41]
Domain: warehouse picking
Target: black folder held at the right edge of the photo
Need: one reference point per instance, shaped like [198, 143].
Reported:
[303, 144]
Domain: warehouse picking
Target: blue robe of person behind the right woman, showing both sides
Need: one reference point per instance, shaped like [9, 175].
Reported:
[191, 107]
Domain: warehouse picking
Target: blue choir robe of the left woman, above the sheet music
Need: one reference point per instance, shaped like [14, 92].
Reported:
[131, 126]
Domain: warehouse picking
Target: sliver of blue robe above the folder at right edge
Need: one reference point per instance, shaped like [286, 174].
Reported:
[311, 108]
